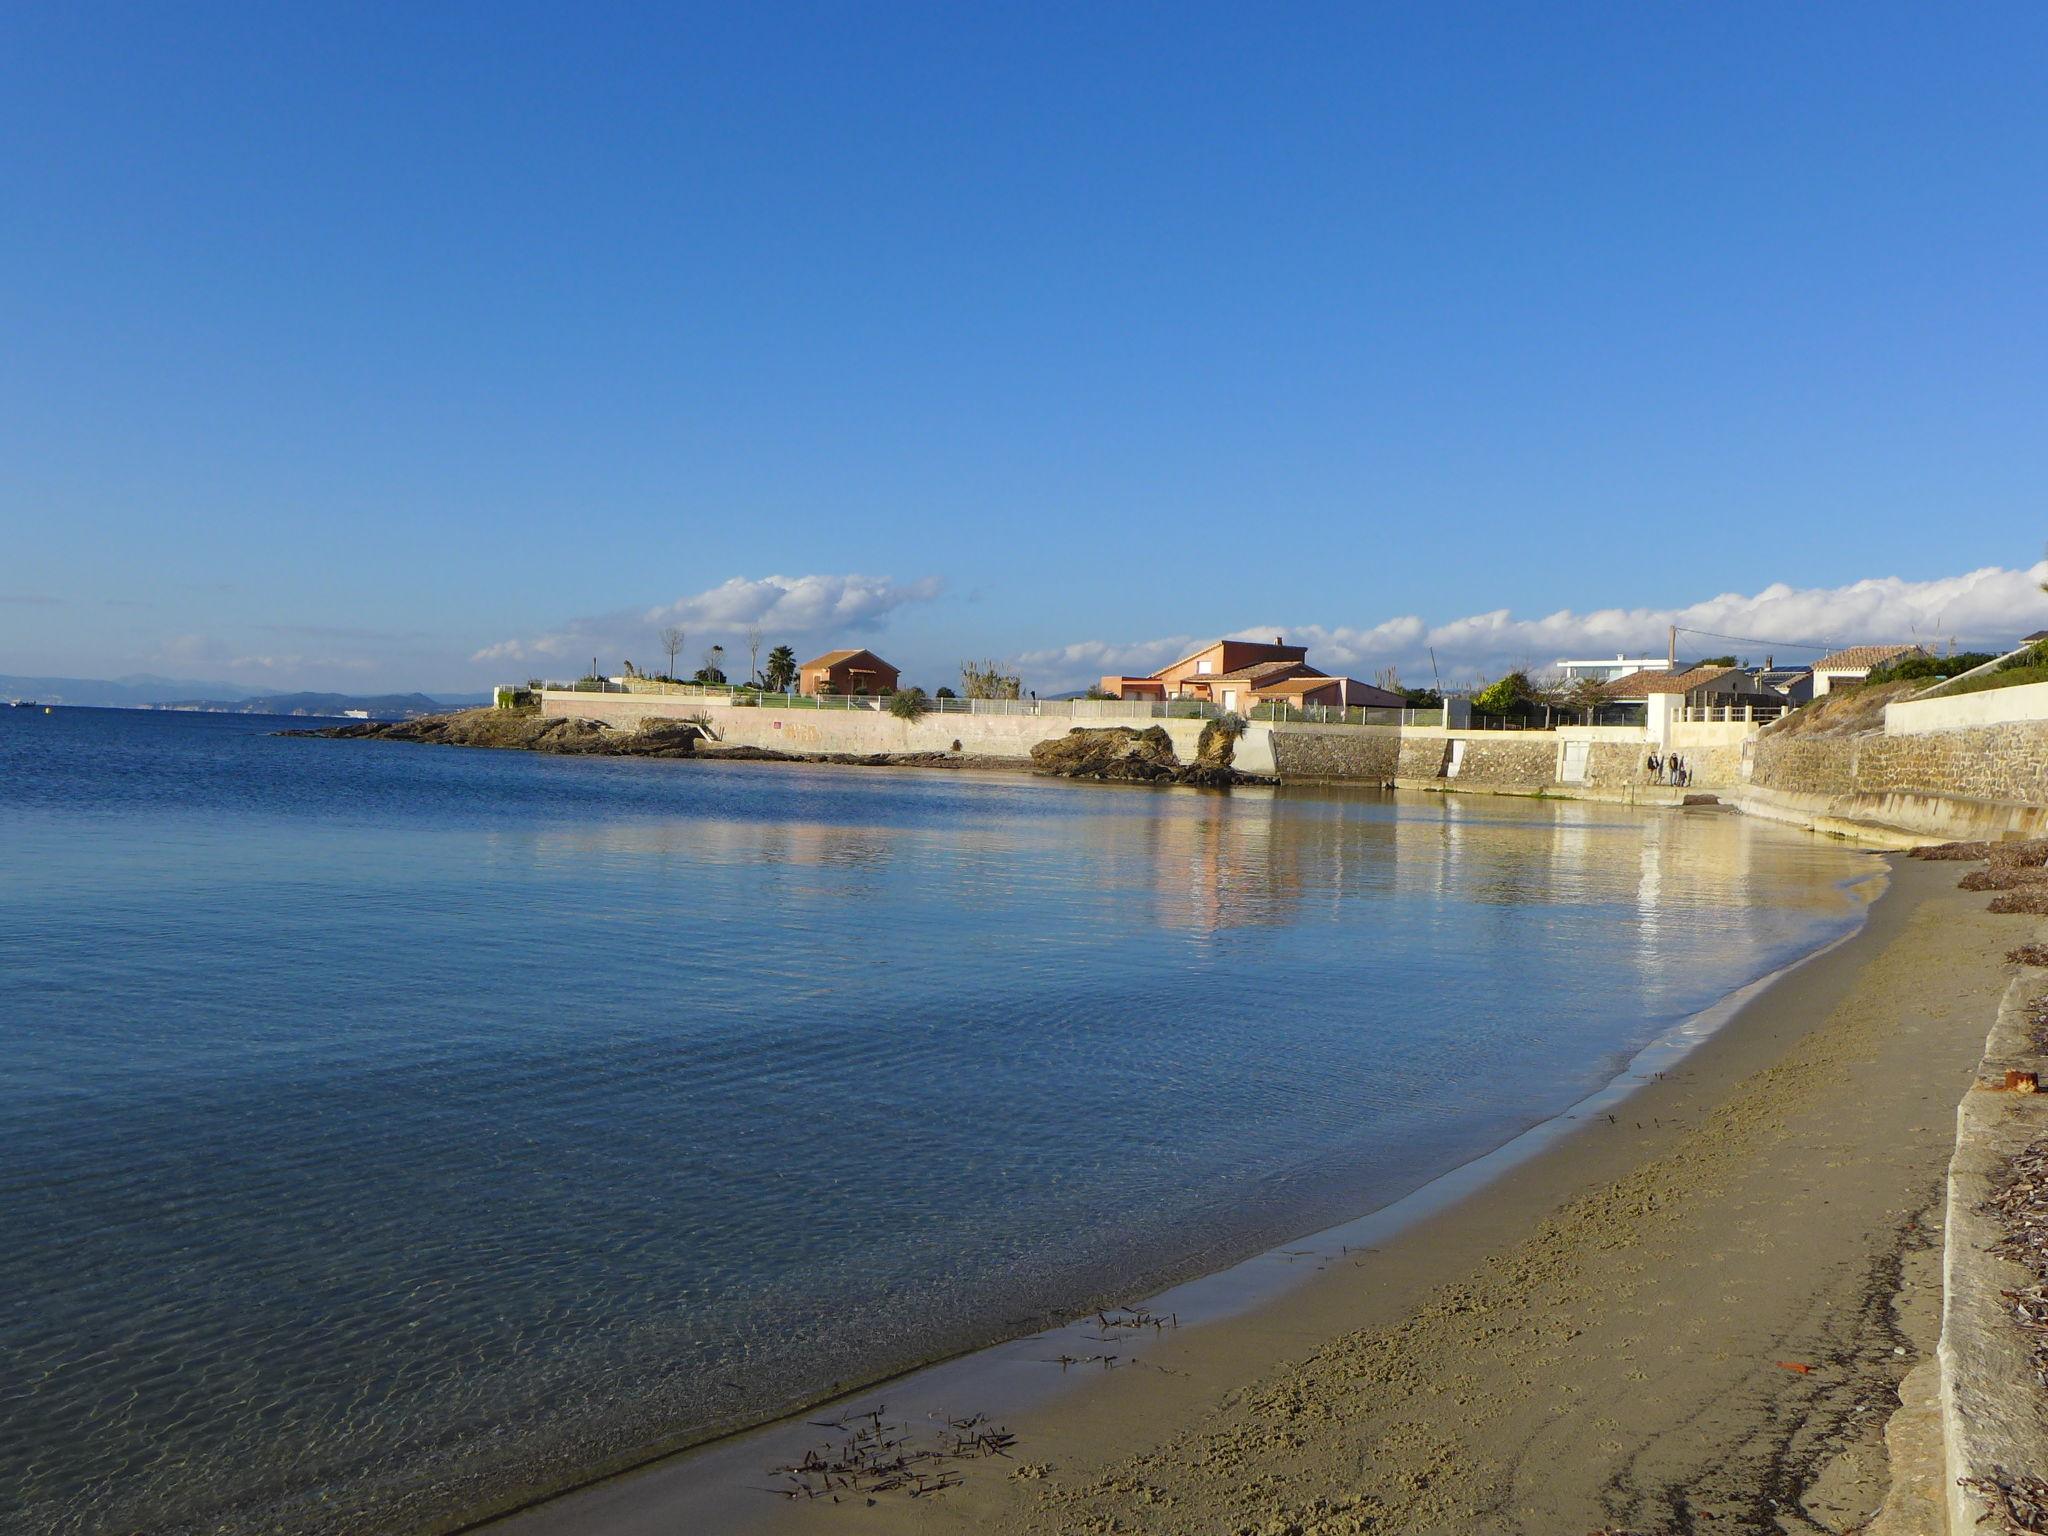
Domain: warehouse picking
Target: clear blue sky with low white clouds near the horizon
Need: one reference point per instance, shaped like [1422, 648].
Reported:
[429, 347]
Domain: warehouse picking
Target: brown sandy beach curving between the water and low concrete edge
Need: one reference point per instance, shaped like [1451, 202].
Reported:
[1689, 1318]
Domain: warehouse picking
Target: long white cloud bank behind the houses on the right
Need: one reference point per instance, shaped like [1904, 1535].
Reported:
[1983, 609]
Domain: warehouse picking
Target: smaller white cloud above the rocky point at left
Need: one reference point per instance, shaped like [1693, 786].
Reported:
[787, 607]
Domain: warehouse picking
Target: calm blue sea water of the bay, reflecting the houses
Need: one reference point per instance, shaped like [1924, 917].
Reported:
[390, 1127]
